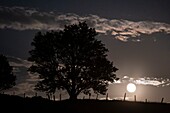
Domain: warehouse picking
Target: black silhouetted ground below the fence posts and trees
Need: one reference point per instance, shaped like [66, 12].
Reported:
[16, 104]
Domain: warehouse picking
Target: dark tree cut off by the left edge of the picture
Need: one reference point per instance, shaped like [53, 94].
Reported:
[7, 79]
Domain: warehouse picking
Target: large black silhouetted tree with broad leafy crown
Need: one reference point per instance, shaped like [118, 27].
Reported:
[71, 59]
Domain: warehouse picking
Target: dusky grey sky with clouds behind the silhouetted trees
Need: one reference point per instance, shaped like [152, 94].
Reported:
[137, 34]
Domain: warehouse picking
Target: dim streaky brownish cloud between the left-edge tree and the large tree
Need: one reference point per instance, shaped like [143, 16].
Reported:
[25, 81]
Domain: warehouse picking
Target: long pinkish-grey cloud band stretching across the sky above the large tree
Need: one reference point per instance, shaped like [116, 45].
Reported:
[23, 18]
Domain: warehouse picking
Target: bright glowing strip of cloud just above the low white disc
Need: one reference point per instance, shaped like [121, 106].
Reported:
[153, 81]
